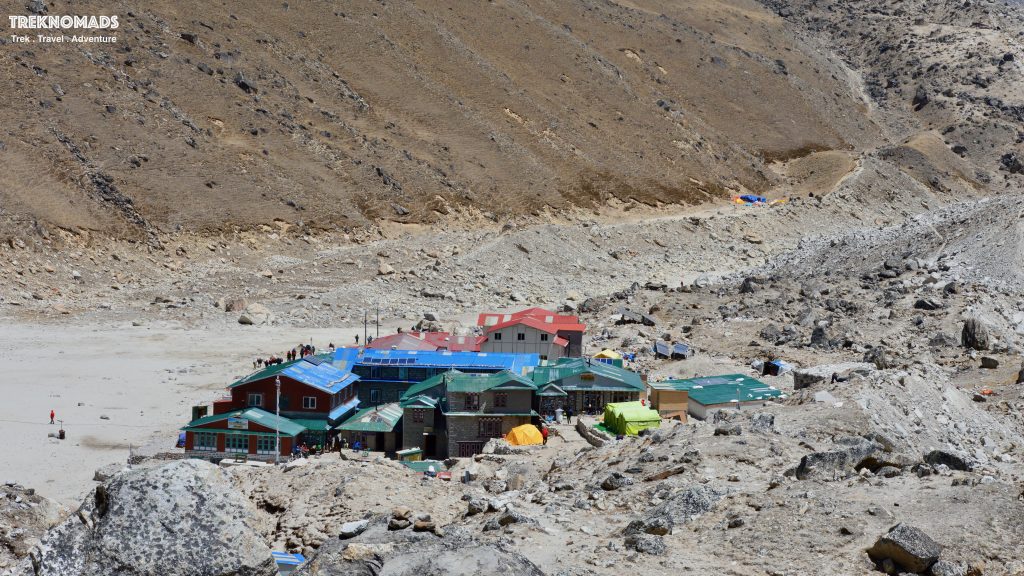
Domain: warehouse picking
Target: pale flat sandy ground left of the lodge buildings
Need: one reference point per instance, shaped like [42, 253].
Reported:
[144, 379]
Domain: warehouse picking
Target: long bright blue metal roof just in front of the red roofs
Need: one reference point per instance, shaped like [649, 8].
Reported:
[346, 359]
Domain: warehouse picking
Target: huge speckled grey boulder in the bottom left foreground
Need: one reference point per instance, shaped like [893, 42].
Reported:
[183, 519]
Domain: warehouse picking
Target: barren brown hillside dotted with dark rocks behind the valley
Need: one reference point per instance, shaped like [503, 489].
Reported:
[207, 117]
